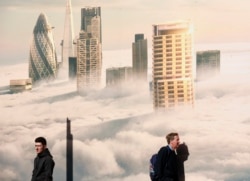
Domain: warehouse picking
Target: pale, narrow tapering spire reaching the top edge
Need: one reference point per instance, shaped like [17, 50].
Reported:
[68, 37]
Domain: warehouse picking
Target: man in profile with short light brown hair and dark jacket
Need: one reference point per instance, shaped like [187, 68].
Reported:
[167, 167]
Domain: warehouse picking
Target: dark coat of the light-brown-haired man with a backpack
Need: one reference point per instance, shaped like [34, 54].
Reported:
[167, 169]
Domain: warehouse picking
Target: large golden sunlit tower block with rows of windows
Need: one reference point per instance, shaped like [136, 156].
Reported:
[172, 65]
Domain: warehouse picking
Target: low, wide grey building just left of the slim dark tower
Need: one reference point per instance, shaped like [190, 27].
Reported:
[117, 76]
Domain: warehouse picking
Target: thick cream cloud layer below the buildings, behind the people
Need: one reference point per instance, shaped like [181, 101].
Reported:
[116, 131]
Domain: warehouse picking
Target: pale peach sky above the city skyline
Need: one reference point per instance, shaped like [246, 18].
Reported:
[215, 21]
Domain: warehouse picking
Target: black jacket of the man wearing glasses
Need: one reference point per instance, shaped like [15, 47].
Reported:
[43, 167]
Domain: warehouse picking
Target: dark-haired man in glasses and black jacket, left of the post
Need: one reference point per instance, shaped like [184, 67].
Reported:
[43, 163]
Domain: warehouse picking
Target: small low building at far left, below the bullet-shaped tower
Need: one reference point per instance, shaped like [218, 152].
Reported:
[20, 85]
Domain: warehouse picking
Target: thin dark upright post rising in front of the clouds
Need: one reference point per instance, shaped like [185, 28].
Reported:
[69, 152]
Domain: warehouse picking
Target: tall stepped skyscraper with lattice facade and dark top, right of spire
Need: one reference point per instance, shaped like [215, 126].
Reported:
[89, 50]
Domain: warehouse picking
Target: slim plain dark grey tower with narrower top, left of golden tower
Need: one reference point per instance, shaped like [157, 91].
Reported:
[140, 57]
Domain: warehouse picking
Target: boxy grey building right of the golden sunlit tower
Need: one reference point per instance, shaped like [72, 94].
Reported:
[207, 64]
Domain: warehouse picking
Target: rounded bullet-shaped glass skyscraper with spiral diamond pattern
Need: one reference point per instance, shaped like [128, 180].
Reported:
[43, 60]
